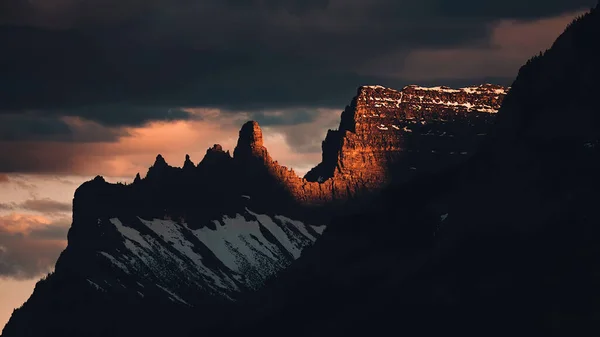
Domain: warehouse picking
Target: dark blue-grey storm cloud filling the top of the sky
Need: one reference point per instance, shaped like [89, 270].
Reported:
[237, 55]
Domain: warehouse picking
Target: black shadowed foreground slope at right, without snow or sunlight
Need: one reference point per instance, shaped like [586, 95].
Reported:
[504, 244]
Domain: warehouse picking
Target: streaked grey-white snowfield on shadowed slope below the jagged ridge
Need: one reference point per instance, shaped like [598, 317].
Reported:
[234, 254]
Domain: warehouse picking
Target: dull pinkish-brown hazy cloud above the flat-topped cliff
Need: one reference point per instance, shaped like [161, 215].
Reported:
[510, 42]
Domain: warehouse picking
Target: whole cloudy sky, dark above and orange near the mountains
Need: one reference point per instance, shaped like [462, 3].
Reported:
[101, 87]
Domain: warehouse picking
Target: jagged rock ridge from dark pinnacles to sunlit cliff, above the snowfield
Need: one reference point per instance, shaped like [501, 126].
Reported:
[385, 136]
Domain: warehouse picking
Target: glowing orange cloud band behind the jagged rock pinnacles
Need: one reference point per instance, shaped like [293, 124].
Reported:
[296, 145]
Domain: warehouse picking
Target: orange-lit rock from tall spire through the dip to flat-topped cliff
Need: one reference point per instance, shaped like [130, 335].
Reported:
[386, 136]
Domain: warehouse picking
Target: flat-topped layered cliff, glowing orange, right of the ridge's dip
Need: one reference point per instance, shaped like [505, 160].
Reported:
[383, 125]
